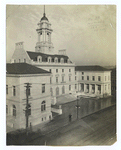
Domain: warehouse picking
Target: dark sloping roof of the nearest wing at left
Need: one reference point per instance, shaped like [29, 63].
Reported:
[24, 68]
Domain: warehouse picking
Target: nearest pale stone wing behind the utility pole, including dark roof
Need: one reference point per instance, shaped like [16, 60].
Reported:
[39, 95]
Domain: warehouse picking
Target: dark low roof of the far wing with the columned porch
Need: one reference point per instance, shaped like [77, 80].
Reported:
[90, 68]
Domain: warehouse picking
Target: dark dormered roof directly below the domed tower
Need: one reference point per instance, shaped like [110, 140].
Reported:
[34, 55]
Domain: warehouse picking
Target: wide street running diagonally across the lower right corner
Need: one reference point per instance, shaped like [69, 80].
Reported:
[96, 129]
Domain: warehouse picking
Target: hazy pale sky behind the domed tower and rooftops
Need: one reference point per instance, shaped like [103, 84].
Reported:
[87, 32]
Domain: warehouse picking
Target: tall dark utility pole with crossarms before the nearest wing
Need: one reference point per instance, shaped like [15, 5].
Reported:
[27, 113]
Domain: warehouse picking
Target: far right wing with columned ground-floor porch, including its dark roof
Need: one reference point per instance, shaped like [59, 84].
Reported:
[94, 80]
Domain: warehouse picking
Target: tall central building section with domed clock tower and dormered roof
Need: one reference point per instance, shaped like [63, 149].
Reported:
[62, 80]
